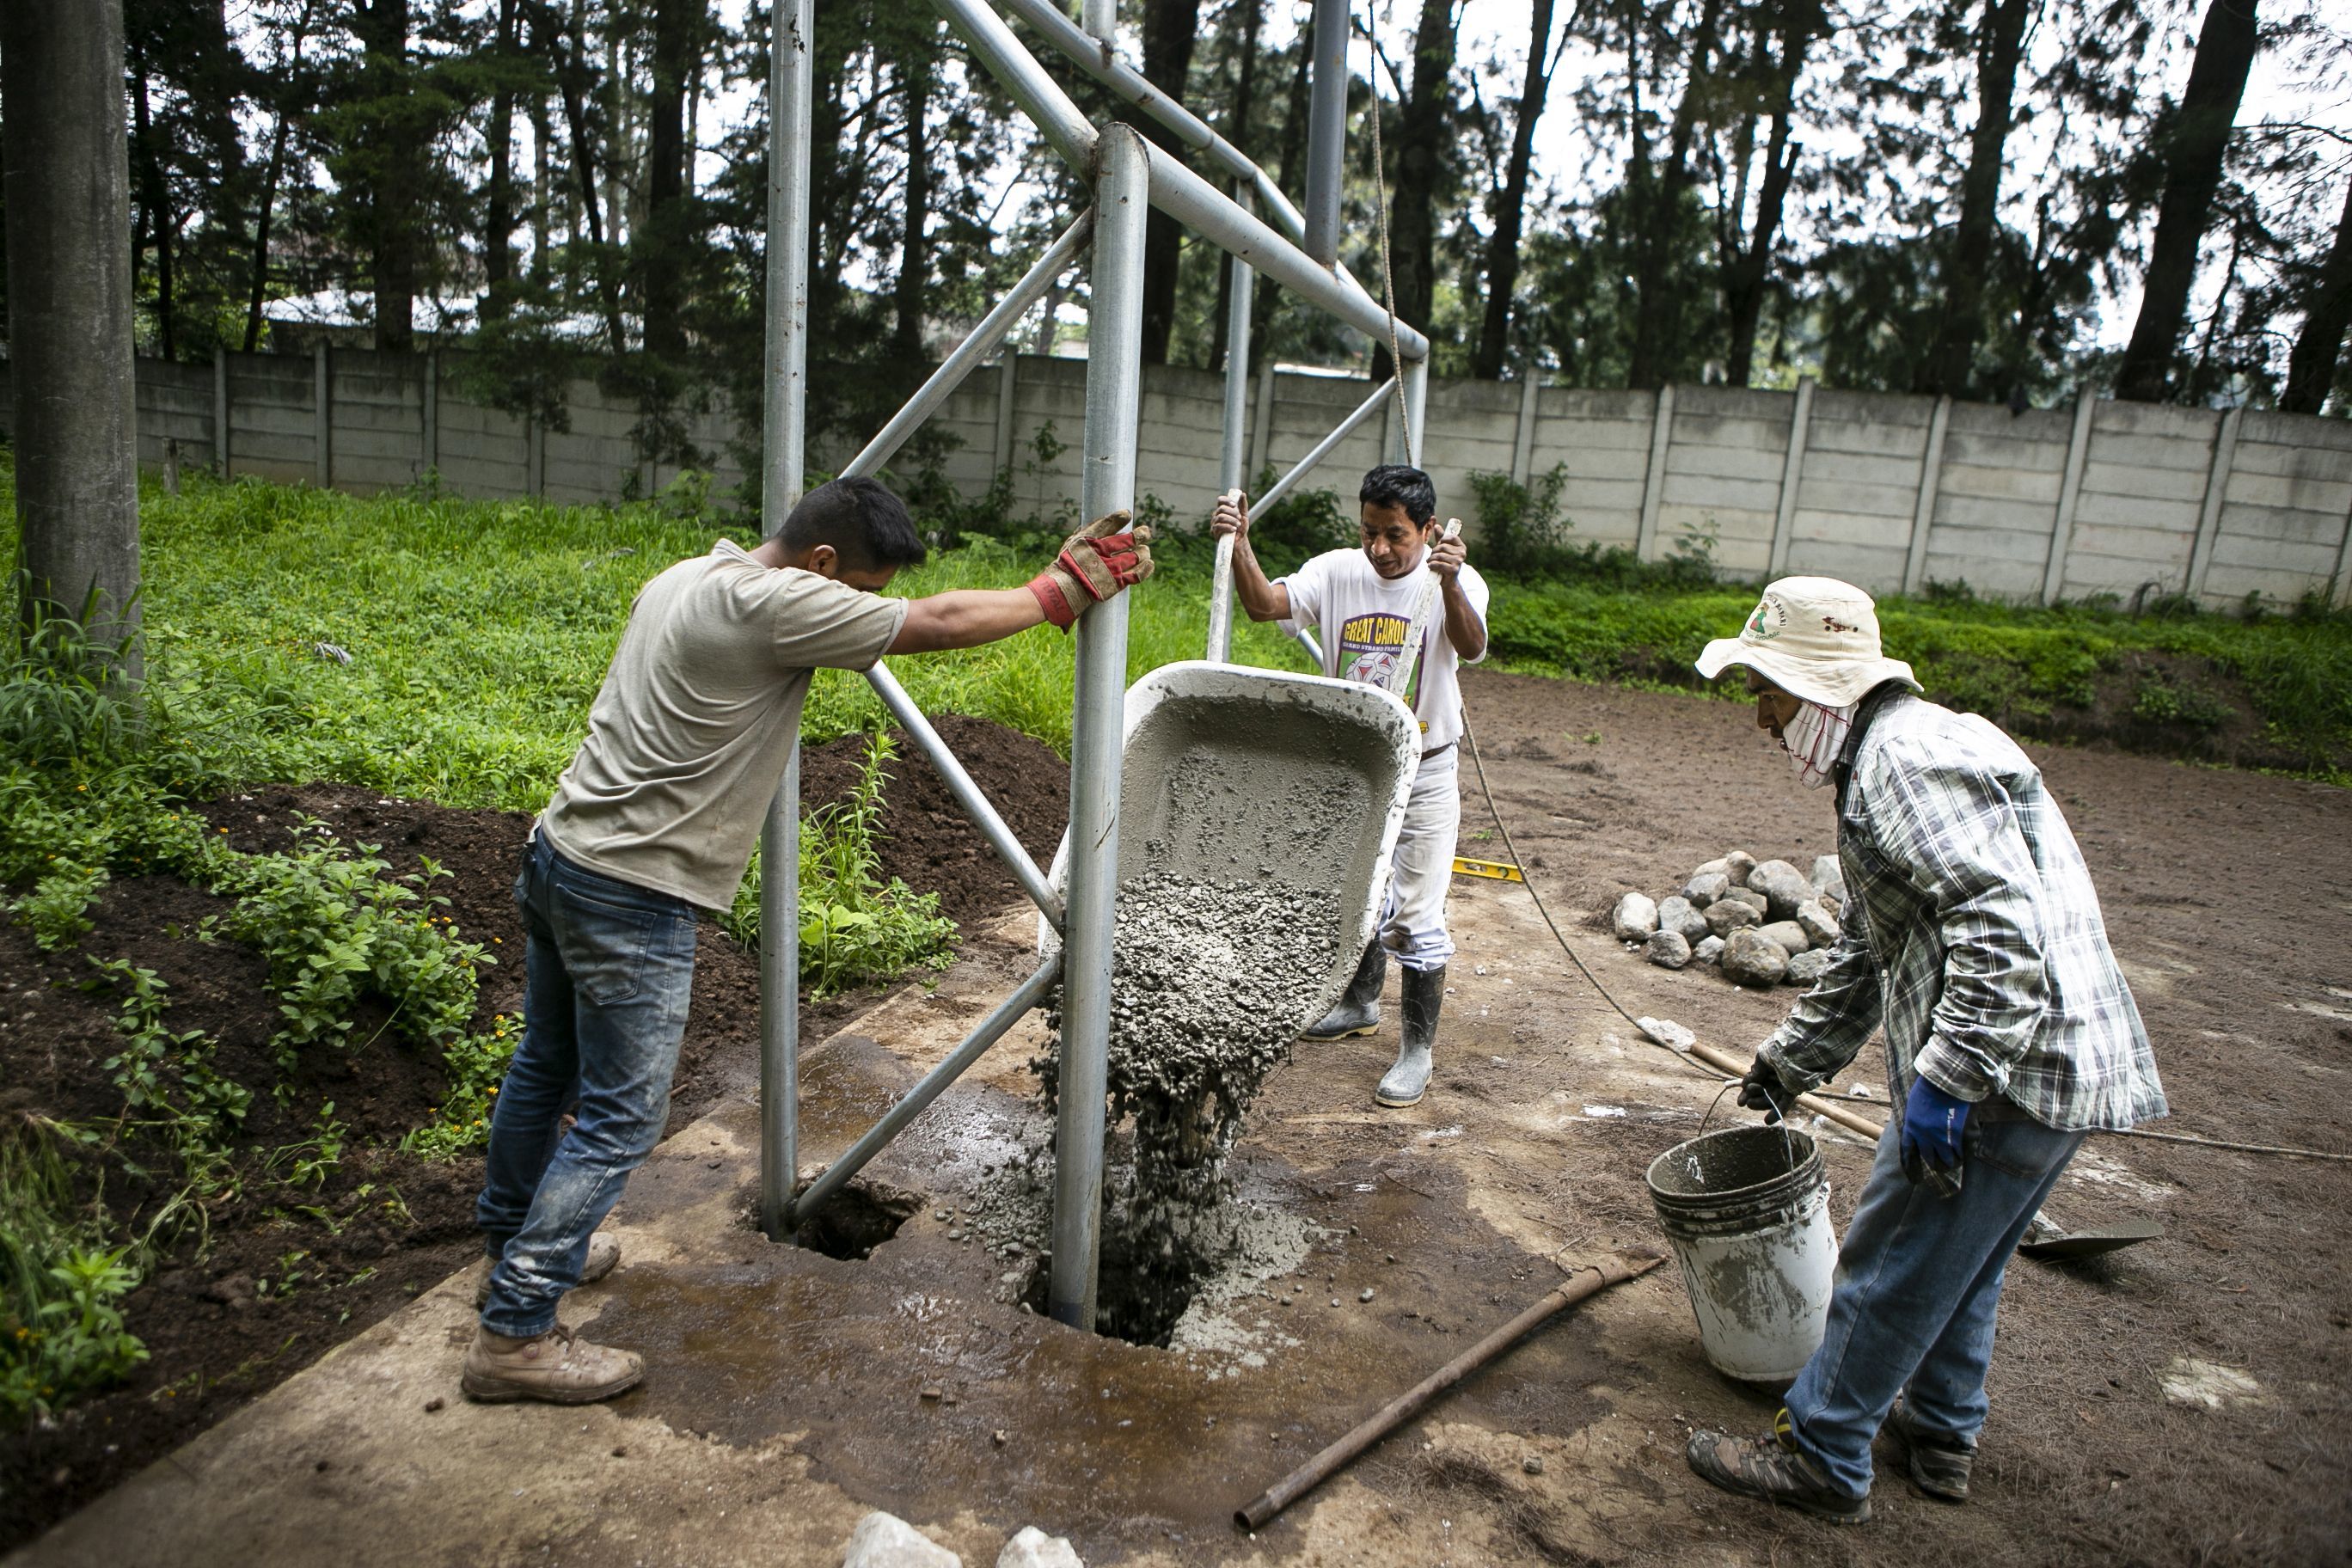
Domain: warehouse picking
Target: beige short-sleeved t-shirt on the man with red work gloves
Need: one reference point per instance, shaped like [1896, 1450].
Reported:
[697, 716]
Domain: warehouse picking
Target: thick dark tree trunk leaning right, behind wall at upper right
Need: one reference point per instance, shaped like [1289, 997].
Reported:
[2193, 156]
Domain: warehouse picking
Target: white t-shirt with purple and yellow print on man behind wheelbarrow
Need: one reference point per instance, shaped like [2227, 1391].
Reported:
[1363, 619]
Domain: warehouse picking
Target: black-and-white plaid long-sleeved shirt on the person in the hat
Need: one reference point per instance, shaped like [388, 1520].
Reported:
[1970, 930]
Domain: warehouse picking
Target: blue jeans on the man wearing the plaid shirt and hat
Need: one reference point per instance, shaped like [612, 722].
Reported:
[1918, 1282]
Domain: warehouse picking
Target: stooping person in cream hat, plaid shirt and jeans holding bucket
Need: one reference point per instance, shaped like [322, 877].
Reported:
[1975, 937]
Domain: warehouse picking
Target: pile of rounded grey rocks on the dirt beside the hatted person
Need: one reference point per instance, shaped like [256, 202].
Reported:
[1760, 923]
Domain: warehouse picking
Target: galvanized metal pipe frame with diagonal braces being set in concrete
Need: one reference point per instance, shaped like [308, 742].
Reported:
[1130, 175]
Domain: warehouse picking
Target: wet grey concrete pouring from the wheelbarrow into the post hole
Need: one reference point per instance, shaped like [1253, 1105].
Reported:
[1203, 1007]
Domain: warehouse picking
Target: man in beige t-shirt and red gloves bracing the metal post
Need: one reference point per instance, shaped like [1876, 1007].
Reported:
[657, 819]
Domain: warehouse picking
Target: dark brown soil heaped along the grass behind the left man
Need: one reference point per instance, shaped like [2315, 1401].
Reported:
[279, 1275]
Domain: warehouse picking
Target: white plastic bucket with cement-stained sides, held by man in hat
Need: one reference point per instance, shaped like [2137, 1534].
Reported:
[1749, 1217]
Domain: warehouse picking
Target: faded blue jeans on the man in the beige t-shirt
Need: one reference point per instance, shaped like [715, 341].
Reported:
[608, 974]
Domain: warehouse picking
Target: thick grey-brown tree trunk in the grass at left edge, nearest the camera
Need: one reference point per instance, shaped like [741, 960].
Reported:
[72, 316]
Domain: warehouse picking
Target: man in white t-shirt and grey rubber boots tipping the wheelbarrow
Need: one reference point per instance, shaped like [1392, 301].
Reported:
[1403, 612]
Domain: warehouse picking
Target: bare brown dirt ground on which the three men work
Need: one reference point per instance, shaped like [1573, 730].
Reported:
[907, 1383]
